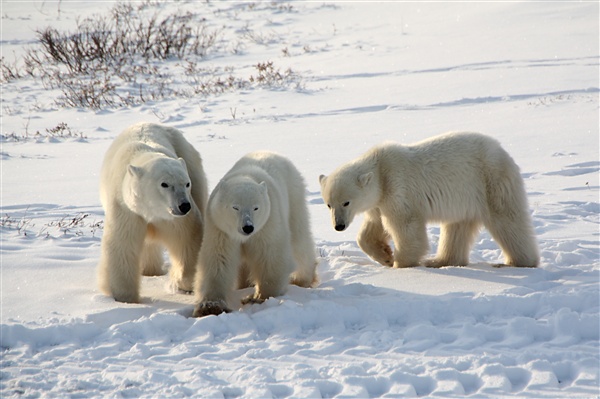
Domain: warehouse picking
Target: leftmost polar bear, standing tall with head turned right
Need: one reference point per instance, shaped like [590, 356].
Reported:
[154, 191]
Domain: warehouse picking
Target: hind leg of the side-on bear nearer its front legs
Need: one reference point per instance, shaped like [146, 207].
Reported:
[456, 240]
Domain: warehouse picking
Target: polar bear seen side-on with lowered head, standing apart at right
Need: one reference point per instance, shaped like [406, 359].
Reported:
[462, 180]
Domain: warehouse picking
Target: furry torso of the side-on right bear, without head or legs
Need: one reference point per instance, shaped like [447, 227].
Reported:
[455, 175]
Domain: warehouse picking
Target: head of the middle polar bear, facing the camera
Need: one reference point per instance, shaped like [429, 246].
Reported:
[240, 207]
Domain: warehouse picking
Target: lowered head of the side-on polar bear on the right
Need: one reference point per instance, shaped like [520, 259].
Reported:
[348, 192]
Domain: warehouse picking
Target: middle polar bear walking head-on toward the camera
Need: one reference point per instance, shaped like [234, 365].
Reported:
[257, 232]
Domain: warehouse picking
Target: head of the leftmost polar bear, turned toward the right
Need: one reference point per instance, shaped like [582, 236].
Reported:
[158, 189]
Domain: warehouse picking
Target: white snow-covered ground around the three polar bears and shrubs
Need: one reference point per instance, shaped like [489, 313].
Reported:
[525, 73]
